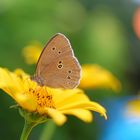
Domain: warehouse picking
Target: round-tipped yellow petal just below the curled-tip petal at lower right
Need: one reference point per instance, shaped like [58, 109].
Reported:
[84, 115]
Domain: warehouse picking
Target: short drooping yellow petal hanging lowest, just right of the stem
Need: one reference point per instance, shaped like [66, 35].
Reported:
[56, 115]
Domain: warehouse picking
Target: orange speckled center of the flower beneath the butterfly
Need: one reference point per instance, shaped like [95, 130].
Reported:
[44, 99]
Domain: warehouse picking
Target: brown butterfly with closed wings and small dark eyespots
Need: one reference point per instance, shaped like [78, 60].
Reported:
[57, 66]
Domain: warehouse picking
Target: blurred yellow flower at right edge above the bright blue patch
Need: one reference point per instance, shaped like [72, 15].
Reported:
[133, 108]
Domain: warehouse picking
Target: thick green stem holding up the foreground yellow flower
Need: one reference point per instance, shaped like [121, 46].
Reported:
[28, 126]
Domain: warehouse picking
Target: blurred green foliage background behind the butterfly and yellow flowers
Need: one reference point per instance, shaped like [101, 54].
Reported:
[101, 32]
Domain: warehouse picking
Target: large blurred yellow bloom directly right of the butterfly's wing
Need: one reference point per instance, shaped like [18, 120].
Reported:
[94, 76]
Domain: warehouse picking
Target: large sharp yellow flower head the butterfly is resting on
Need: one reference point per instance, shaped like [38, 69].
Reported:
[49, 102]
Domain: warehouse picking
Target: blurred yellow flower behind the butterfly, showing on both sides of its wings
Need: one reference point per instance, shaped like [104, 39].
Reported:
[93, 76]
